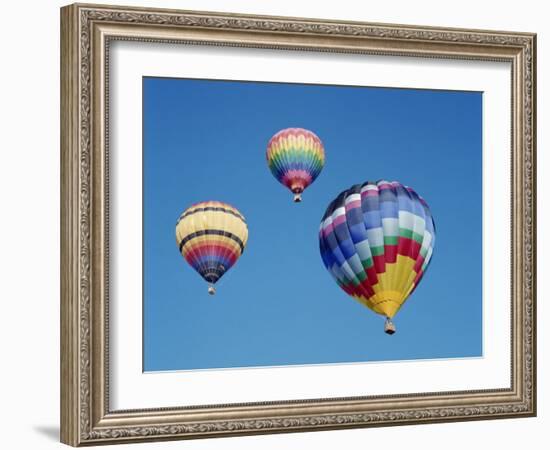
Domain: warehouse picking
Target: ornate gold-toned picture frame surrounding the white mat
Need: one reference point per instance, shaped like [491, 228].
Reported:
[87, 32]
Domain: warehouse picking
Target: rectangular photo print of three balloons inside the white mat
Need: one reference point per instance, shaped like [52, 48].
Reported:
[314, 224]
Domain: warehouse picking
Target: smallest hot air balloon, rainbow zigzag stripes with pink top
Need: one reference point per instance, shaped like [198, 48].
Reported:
[295, 157]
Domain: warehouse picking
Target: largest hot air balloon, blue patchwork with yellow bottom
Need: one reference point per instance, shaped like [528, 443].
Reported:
[377, 240]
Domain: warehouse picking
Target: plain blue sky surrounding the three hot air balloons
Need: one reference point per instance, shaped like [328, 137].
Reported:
[206, 140]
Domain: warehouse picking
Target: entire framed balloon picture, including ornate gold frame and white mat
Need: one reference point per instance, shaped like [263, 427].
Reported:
[275, 224]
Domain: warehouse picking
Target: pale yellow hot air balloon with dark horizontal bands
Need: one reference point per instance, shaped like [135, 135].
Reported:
[211, 236]
